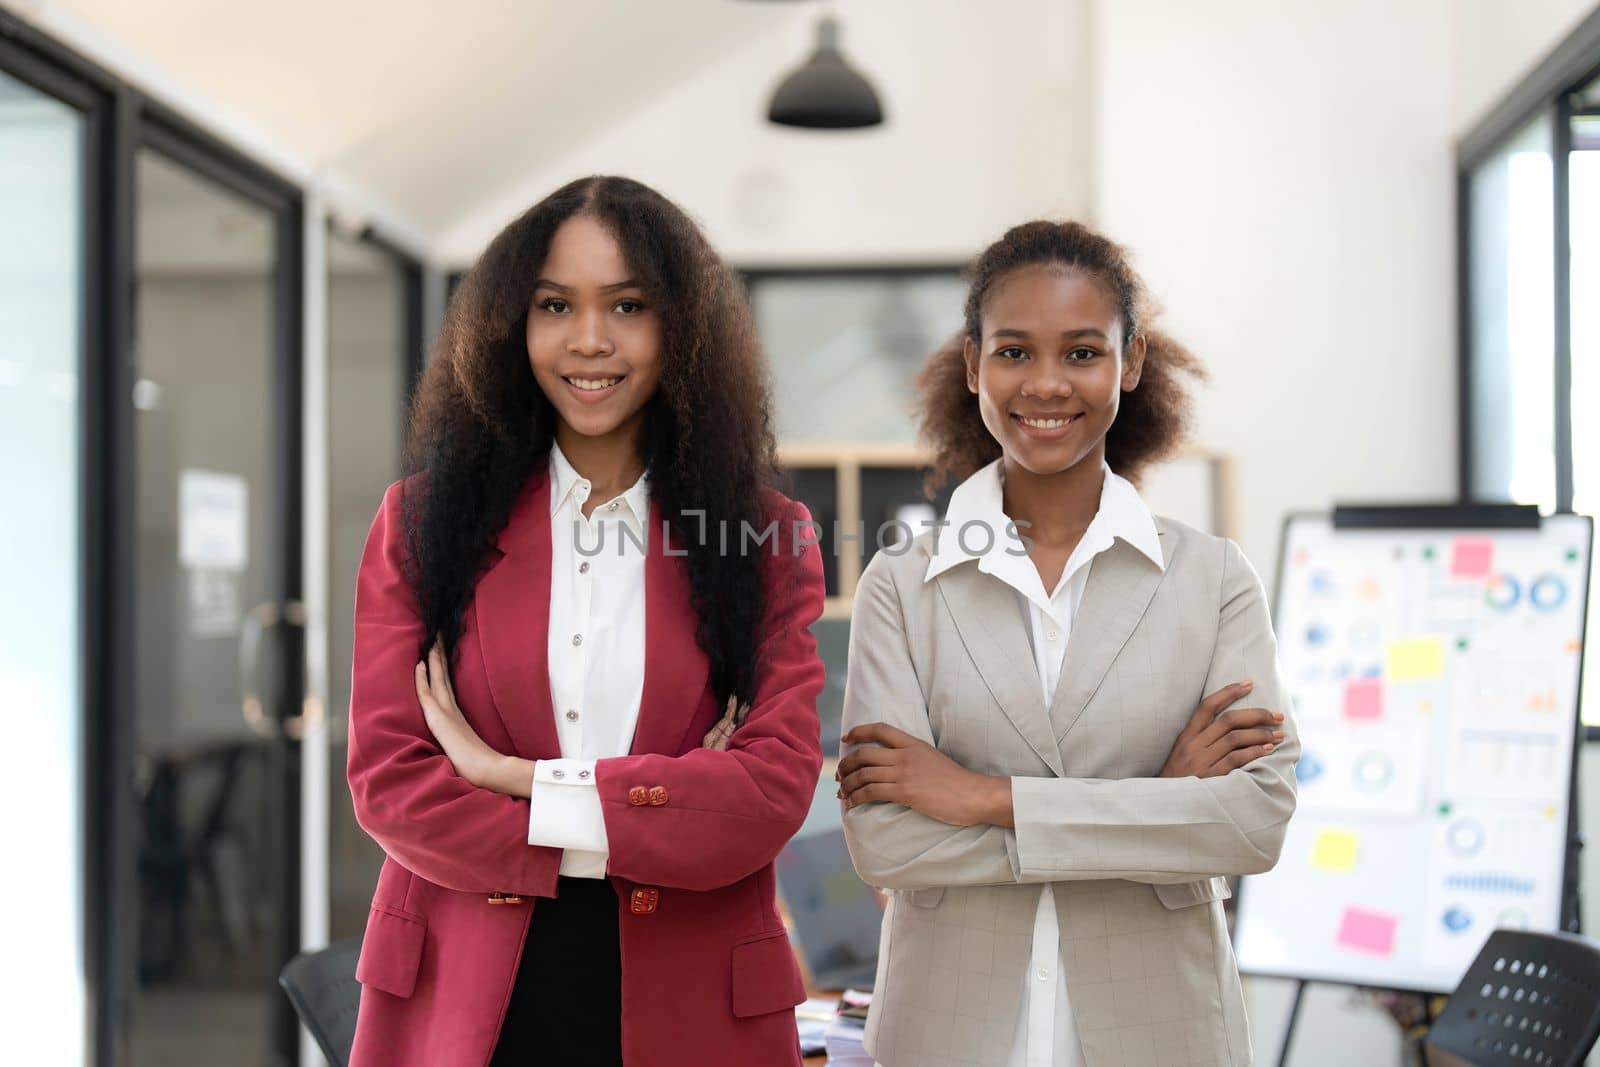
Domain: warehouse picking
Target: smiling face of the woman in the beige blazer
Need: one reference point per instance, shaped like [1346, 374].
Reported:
[1050, 369]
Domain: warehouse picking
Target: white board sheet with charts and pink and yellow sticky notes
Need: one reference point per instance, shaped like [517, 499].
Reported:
[1434, 677]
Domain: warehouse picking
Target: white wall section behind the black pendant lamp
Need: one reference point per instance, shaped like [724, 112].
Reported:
[988, 124]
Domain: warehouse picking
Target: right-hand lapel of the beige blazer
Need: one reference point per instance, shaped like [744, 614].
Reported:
[1121, 586]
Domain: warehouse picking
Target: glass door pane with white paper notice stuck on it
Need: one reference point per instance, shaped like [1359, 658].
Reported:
[217, 634]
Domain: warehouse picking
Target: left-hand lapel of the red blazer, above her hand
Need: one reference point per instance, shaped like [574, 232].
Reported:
[513, 612]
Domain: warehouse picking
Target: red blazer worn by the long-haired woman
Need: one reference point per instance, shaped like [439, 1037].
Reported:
[708, 973]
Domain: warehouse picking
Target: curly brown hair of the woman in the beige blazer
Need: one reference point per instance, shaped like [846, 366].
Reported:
[1153, 422]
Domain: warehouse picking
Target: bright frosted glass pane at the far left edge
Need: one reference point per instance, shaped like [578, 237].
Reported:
[44, 148]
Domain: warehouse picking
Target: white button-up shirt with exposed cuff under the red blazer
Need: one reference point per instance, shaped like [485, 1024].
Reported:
[596, 660]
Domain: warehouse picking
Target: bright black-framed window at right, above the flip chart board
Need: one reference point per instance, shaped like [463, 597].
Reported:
[1529, 185]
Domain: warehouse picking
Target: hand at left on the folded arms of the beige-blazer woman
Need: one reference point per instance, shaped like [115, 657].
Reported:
[910, 772]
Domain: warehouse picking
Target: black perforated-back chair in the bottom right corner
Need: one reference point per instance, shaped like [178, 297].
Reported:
[1527, 999]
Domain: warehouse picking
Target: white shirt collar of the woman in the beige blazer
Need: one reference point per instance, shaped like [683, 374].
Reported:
[1122, 516]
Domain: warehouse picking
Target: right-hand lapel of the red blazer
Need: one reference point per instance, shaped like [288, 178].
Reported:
[676, 669]
